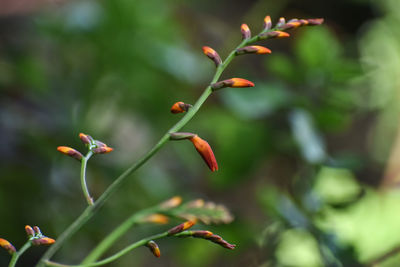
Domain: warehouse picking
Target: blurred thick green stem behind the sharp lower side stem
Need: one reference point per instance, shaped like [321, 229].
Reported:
[107, 242]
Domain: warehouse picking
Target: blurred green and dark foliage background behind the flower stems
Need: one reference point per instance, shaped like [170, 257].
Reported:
[309, 158]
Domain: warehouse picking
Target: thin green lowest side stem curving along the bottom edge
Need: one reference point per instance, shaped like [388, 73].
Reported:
[113, 257]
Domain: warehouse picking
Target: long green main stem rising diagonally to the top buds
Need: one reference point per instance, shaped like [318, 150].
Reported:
[91, 210]
